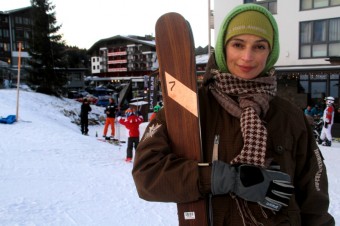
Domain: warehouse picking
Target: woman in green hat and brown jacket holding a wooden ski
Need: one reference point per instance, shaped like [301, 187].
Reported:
[268, 169]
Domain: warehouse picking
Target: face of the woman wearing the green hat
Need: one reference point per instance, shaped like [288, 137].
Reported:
[247, 55]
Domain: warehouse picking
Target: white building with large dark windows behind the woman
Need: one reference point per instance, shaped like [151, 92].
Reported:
[308, 68]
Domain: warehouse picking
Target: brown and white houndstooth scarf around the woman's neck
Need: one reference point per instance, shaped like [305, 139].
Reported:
[252, 103]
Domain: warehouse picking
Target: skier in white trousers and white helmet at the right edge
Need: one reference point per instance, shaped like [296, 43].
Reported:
[328, 118]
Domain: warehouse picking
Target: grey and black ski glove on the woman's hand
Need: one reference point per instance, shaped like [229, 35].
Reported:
[270, 188]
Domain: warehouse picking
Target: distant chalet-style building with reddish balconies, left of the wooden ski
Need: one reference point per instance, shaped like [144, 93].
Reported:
[123, 58]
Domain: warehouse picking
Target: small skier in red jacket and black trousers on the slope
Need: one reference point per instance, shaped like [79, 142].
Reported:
[131, 122]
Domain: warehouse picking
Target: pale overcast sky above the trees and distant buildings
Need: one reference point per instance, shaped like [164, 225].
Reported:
[86, 22]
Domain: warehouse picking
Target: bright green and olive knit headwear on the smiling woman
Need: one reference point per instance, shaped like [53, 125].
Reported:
[266, 33]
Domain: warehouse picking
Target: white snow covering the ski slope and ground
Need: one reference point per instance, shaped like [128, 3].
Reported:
[50, 174]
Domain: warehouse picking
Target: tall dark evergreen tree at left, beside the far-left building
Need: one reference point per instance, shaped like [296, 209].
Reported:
[46, 49]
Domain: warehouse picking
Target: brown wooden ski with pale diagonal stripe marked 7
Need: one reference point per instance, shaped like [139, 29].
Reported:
[177, 69]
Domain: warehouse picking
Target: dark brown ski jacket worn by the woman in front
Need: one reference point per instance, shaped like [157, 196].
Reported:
[162, 176]
